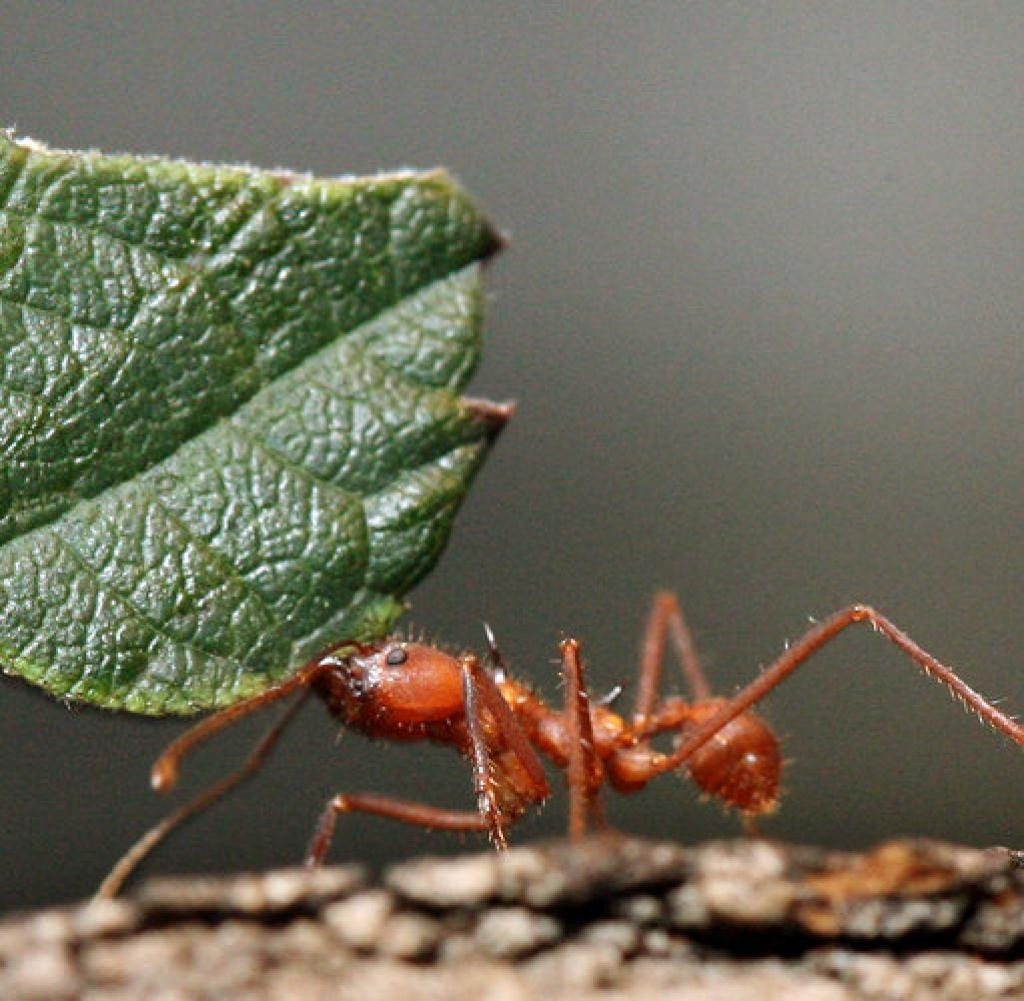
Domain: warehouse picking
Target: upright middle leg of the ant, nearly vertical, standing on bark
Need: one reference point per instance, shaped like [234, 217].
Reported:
[584, 771]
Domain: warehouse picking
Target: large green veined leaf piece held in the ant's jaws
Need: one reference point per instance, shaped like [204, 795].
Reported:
[230, 425]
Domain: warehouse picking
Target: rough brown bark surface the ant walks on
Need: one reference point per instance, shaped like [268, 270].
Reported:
[615, 919]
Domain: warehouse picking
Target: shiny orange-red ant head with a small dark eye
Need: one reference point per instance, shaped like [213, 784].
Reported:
[399, 683]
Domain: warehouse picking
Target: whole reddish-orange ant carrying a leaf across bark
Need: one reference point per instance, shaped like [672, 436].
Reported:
[402, 690]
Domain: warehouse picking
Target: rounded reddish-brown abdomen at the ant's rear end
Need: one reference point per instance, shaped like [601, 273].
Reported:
[742, 765]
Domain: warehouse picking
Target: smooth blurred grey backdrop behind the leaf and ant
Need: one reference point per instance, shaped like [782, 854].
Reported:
[762, 312]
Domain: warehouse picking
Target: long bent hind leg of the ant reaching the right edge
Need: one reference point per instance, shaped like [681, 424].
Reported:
[813, 641]
